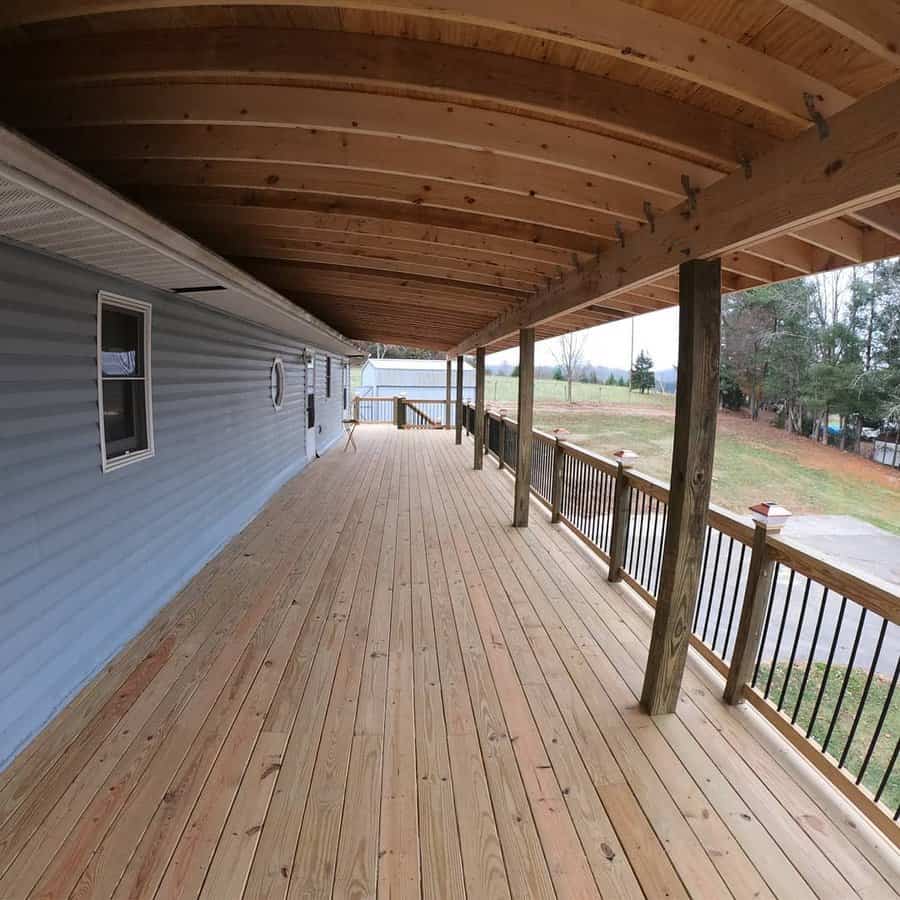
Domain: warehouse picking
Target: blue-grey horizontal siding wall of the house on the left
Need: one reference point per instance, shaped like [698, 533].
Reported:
[87, 558]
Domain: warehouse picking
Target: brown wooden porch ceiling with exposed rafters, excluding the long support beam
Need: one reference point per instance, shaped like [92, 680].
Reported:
[410, 171]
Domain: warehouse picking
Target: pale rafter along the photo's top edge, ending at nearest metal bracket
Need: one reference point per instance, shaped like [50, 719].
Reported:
[620, 30]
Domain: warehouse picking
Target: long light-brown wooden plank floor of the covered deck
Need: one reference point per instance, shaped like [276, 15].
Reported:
[381, 687]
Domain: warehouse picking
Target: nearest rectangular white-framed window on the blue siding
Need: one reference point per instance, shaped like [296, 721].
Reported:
[123, 380]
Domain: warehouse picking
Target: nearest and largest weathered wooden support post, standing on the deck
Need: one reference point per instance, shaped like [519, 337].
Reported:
[696, 404]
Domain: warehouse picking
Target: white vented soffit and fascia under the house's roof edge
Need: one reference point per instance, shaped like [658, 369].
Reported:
[48, 205]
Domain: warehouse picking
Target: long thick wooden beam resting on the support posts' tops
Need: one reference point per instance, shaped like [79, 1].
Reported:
[803, 182]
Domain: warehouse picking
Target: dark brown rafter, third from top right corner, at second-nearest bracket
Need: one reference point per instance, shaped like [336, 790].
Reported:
[388, 65]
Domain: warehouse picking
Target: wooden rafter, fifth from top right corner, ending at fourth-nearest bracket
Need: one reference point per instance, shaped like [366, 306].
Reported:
[356, 152]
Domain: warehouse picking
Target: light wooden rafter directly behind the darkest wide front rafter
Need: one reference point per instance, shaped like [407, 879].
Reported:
[343, 111]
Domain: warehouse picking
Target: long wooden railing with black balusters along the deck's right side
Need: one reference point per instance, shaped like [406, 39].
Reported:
[822, 661]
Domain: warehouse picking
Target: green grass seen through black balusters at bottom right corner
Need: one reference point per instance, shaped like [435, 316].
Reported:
[881, 755]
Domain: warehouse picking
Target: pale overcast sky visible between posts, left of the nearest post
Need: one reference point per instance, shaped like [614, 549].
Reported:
[610, 345]
